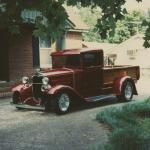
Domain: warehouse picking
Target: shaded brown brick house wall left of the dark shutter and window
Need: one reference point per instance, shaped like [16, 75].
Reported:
[20, 55]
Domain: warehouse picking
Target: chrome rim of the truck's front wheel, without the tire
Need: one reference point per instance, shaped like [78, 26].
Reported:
[64, 102]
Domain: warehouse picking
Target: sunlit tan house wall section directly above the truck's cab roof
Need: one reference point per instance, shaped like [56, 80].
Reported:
[73, 40]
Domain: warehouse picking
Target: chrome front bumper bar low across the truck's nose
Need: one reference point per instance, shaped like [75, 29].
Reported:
[24, 106]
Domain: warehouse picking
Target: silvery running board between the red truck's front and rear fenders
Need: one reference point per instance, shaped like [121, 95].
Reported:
[98, 98]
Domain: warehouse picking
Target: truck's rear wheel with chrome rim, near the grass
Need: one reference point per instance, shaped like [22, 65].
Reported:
[127, 92]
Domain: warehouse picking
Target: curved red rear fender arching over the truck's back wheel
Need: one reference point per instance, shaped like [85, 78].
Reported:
[118, 85]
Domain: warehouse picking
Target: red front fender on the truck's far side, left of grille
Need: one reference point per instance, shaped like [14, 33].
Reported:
[25, 91]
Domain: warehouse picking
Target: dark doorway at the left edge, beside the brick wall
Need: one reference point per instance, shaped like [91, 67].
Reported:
[4, 56]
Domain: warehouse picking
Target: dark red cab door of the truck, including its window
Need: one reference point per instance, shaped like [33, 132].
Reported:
[92, 74]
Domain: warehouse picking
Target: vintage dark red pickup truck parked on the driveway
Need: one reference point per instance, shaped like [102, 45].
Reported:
[77, 74]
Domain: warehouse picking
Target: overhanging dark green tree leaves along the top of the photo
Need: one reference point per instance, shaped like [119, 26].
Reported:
[53, 11]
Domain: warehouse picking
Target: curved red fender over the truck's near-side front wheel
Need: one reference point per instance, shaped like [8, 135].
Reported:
[60, 88]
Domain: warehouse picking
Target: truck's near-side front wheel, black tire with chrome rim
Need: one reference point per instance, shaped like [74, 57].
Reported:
[61, 103]
